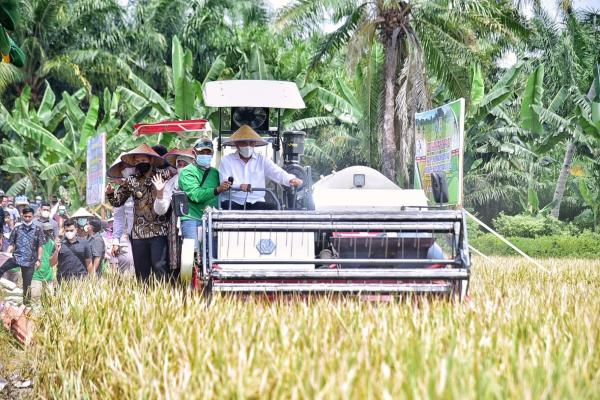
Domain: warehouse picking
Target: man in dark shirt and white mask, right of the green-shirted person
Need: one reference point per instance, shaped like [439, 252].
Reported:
[73, 255]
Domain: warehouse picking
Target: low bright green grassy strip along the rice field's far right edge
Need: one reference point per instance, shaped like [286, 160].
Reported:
[584, 245]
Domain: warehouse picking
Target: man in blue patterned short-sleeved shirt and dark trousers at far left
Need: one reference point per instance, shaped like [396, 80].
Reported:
[25, 246]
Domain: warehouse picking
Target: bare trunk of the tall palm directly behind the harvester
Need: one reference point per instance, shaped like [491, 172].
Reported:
[390, 66]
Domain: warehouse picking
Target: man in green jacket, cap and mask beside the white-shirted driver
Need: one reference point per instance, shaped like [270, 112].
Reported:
[201, 184]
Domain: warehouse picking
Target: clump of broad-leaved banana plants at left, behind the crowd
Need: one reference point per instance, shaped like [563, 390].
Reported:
[40, 161]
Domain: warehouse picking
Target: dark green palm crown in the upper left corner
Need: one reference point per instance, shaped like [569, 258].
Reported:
[72, 44]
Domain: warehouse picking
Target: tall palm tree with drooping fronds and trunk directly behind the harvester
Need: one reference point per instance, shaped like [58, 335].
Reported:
[438, 36]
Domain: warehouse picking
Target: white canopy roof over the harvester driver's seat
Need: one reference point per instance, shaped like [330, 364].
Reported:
[256, 93]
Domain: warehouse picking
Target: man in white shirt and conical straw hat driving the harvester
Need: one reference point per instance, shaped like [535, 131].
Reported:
[249, 170]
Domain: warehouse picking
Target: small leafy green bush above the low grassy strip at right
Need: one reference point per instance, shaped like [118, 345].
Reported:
[528, 226]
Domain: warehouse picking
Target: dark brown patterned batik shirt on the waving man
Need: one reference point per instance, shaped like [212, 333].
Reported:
[146, 223]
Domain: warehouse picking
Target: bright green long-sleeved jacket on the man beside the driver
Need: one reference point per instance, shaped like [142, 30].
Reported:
[199, 197]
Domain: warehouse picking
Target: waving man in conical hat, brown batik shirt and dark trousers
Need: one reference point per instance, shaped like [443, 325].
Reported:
[149, 233]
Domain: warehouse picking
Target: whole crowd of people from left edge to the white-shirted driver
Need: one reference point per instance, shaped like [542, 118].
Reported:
[48, 245]
